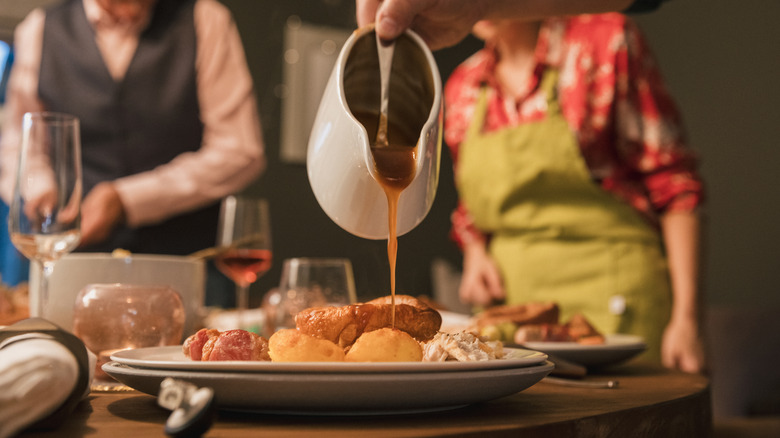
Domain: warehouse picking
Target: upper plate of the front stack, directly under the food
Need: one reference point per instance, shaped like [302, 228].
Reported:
[172, 358]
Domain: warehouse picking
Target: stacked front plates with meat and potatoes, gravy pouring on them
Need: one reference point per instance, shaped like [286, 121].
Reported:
[367, 358]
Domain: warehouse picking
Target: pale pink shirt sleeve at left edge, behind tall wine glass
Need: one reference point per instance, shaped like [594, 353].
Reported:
[21, 97]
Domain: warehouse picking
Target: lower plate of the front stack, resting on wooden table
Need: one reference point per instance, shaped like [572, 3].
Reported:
[326, 393]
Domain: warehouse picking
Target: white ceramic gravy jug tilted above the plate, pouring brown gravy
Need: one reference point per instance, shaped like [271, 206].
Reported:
[345, 174]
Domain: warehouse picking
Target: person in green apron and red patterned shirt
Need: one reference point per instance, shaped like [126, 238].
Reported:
[575, 183]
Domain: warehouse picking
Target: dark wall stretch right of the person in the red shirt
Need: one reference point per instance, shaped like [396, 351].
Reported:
[721, 60]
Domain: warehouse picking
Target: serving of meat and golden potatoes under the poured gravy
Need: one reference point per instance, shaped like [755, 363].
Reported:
[417, 339]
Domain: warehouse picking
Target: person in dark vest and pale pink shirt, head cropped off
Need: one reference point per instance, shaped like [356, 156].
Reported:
[169, 119]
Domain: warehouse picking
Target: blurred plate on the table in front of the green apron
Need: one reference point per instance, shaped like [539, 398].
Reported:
[615, 349]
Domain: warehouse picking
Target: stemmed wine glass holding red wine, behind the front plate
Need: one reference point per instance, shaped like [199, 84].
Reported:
[244, 239]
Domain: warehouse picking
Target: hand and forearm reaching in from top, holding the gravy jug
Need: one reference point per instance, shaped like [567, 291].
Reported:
[443, 23]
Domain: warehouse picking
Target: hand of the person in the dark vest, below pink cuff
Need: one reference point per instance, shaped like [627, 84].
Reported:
[101, 212]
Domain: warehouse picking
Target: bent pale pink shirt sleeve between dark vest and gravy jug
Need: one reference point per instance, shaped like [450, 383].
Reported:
[232, 153]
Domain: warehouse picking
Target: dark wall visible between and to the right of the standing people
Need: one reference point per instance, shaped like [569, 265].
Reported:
[720, 61]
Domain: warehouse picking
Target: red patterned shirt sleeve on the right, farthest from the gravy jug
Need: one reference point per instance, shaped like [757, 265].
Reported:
[651, 137]
